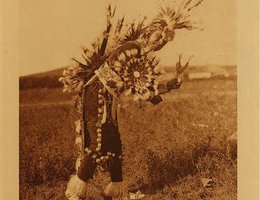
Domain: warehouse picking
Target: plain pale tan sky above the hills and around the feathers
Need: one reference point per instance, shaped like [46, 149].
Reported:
[53, 31]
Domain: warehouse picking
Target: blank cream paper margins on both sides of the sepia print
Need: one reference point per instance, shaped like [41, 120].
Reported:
[248, 99]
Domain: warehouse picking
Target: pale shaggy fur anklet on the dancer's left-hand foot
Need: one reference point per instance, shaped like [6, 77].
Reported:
[76, 188]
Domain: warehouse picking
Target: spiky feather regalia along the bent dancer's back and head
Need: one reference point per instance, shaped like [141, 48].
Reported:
[145, 38]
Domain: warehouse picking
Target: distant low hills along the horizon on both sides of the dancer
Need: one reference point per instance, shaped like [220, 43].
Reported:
[50, 79]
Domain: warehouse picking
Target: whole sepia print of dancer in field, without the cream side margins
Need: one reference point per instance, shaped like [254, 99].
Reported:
[122, 100]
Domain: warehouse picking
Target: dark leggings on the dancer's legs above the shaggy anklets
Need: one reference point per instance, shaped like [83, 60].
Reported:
[110, 139]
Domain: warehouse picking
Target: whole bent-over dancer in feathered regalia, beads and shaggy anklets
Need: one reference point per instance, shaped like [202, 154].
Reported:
[125, 65]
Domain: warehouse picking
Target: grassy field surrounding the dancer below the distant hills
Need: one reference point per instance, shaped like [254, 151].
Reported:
[168, 148]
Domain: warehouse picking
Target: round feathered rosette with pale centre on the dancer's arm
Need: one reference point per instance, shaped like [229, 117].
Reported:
[138, 75]
